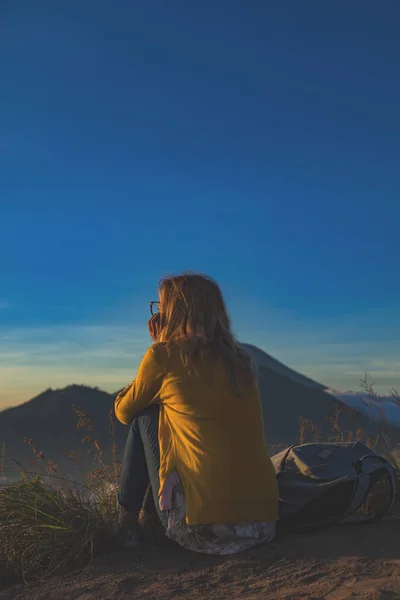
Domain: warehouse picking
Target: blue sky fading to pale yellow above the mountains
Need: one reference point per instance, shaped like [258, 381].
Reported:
[257, 142]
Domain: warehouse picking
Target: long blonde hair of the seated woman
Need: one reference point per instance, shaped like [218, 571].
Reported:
[193, 310]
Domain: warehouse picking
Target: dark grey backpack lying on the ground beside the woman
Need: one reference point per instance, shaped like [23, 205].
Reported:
[325, 484]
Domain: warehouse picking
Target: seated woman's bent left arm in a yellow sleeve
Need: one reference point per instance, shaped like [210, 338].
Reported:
[145, 389]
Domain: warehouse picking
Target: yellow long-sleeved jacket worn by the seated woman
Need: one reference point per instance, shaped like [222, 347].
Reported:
[212, 438]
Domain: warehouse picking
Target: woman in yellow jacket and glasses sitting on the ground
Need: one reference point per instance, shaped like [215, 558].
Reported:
[196, 429]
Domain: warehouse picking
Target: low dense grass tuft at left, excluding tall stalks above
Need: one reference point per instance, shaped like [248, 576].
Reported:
[44, 529]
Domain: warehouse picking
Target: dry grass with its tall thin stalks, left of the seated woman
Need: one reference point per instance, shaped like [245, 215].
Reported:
[49, 523]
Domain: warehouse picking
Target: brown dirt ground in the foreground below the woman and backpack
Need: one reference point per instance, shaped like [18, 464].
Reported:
[344, 563]
